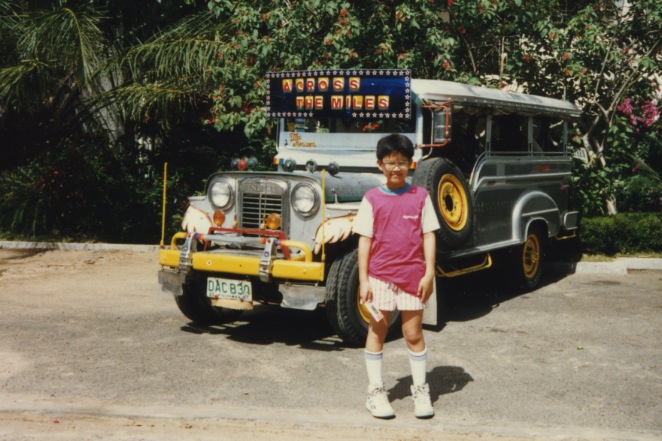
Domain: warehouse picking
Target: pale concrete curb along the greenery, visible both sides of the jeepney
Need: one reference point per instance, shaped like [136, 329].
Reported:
[618, 266]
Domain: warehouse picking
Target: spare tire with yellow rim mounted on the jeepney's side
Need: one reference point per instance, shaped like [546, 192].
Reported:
[451, 198]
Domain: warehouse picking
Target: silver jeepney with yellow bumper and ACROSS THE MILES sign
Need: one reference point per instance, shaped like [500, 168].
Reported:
[495, 163]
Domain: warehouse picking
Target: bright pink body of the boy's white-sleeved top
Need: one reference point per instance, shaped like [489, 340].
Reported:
[396, 253]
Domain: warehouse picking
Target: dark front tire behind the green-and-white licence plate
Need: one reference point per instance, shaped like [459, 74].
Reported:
[195, 305]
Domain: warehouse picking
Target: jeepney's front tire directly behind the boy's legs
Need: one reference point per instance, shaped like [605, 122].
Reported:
[348, 318]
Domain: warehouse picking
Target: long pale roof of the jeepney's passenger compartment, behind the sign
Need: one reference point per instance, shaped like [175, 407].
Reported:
[437, 91]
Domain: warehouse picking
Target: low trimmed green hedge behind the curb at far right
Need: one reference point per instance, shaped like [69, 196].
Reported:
[623, 233]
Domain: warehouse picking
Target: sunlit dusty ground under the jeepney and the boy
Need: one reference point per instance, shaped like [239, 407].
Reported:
[90, 349]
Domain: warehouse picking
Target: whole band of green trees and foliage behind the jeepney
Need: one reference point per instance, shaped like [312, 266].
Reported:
[146, 81]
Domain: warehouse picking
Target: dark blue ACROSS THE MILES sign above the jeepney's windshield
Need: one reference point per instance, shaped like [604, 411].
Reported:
[352, 93]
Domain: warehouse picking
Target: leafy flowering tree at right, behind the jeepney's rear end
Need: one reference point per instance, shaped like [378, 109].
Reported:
[606, 53]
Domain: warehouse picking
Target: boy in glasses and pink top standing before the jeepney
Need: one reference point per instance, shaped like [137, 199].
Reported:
[396, 222]
